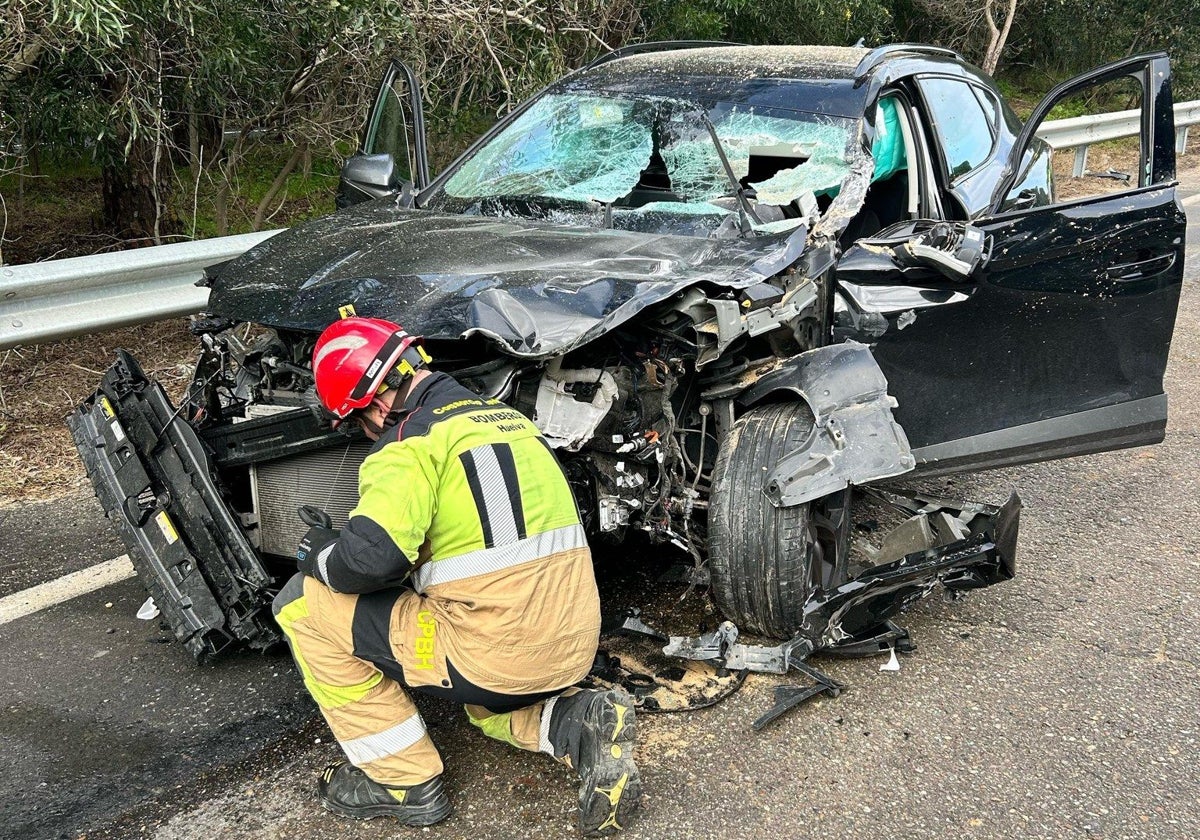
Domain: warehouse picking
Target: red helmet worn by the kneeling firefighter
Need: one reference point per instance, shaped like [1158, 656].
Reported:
[355, 356]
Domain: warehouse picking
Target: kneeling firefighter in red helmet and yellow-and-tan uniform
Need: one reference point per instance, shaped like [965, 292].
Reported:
[463, 501]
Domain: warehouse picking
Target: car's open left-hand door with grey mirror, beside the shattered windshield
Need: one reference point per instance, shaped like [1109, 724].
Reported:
[393, 155]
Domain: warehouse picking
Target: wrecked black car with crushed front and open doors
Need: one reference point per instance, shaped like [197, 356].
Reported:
[730, 285]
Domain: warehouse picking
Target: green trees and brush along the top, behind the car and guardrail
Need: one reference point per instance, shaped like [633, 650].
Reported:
[145, 89]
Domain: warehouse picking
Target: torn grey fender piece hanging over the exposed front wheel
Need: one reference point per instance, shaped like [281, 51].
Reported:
[855, 437]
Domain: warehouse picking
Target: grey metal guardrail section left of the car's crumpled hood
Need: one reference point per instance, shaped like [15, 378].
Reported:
[63, 298]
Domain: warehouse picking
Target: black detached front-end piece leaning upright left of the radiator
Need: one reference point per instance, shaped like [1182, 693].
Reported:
[153, 476]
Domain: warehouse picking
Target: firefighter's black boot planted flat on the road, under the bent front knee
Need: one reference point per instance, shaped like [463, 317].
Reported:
[349, 791]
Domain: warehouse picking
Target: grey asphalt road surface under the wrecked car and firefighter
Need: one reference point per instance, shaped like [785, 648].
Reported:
[1061, 705]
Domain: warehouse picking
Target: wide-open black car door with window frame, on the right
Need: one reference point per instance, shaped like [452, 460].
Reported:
[1059, 344]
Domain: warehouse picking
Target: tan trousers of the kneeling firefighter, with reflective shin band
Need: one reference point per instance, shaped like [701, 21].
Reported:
[356, 652]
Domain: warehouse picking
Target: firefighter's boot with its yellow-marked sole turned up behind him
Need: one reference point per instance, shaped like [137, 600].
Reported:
[595, 733]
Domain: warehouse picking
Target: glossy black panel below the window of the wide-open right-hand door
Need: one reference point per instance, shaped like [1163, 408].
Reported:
[1058, 326]
